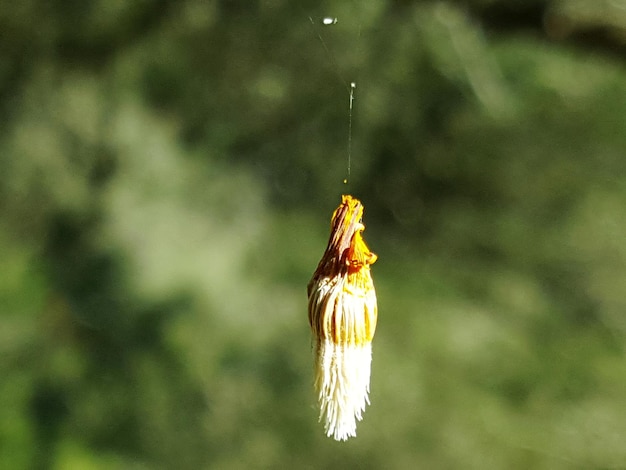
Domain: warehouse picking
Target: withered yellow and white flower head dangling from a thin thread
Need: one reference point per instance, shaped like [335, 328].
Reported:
[342, 315]
